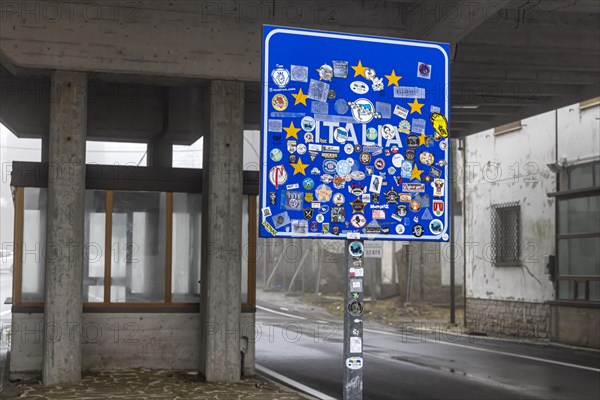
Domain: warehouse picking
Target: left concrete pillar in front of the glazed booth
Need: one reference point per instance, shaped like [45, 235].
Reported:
[64, 234]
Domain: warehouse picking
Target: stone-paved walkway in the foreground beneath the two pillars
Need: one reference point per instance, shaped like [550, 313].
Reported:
[138, 384]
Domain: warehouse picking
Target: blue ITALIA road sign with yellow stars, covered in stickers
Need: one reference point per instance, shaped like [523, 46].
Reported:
[354, 137]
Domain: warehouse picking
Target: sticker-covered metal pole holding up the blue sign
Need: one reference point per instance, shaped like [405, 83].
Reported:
[353, 321]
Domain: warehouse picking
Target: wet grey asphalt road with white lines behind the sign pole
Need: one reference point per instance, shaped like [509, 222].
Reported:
[404, 365]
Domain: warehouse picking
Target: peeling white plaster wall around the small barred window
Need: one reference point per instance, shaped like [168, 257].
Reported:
[513, 167]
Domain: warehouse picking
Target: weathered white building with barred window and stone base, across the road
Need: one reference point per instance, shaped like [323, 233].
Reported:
[532, 191]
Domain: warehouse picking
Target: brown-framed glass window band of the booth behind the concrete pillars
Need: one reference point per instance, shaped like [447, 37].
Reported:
[142, 238]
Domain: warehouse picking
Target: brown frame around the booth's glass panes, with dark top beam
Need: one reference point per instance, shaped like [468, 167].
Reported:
[22, 180]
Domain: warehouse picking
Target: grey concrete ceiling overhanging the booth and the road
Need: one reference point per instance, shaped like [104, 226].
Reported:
[511, 59]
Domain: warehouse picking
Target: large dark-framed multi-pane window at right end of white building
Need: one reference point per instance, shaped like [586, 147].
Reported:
[578, 234]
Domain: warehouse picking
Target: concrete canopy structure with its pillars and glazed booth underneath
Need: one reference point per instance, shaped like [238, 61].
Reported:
[168, 73]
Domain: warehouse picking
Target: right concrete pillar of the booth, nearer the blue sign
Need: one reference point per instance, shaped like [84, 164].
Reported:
[220, 357]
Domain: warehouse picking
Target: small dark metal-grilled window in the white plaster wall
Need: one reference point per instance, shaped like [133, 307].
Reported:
[506, 234]
